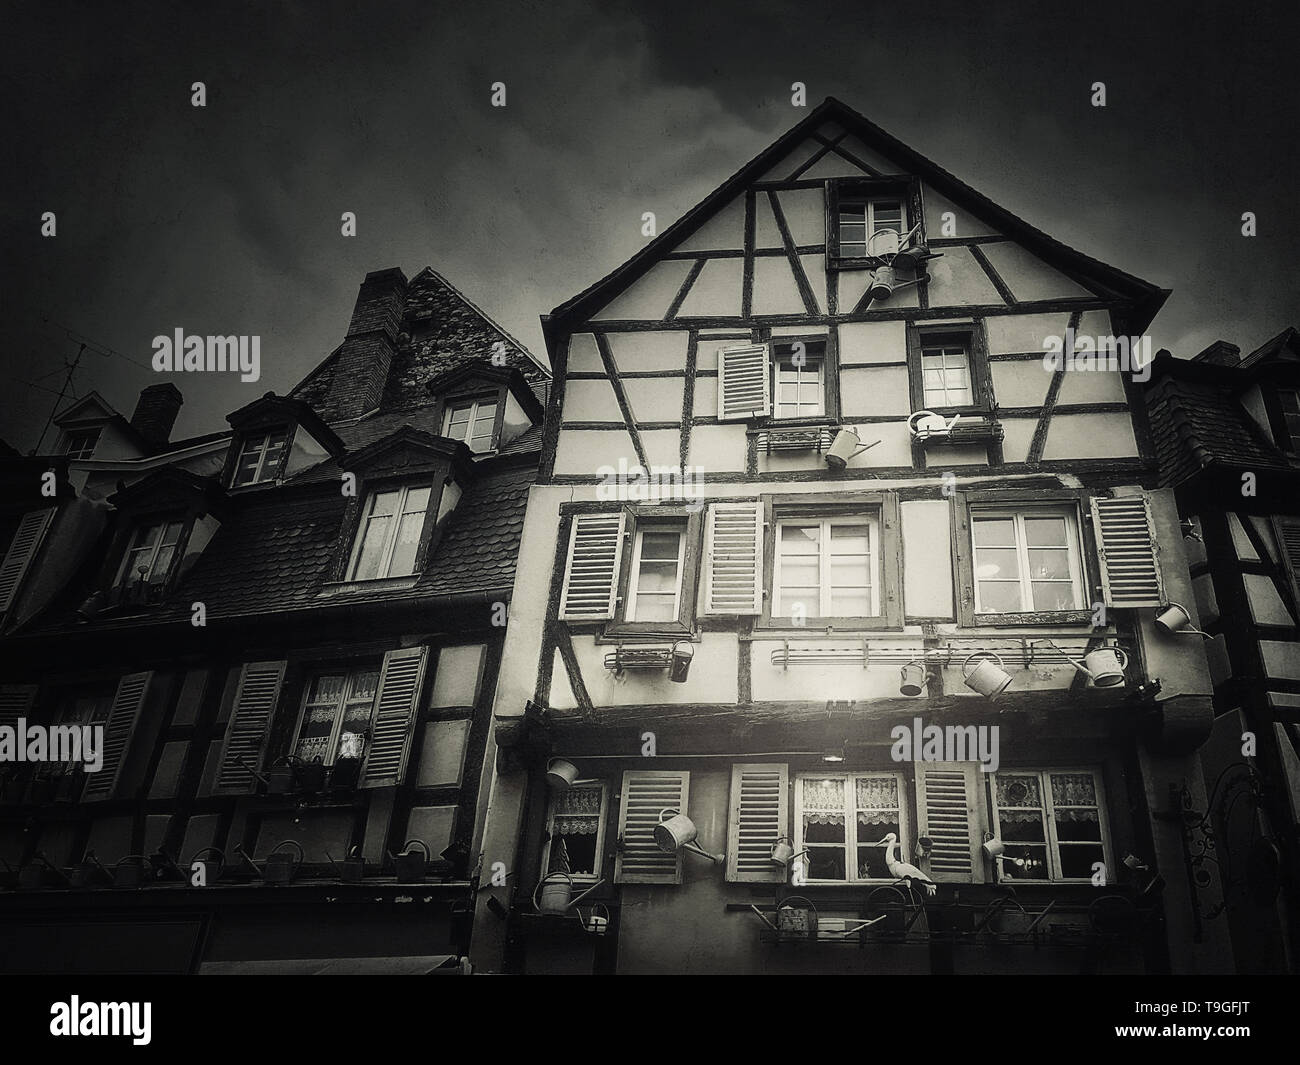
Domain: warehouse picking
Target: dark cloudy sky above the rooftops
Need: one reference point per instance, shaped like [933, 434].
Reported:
[227, 219]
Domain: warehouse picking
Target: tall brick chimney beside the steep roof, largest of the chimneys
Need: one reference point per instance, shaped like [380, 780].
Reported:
[362, 369]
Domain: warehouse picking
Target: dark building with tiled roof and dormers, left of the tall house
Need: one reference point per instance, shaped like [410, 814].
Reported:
[291, 633]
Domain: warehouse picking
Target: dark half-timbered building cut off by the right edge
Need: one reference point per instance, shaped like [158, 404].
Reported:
[1228, 434]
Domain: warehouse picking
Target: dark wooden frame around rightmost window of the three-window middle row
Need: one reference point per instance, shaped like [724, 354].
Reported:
[964, 551]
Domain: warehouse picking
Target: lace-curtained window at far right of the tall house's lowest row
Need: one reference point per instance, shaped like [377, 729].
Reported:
[1054, 821]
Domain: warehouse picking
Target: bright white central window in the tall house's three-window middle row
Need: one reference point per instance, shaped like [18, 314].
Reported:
[827, 569]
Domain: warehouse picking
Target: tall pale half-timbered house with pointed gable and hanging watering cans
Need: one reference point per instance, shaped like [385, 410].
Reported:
[735, 646]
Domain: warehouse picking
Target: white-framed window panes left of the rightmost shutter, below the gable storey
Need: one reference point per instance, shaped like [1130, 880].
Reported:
[1026, 560]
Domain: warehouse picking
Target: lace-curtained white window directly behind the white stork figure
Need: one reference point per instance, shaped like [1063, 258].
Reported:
[843, 819]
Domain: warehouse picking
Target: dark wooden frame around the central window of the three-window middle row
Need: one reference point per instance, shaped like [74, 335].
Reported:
[882, 510]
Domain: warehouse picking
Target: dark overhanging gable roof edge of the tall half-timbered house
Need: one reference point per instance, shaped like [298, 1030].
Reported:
[1147, 297]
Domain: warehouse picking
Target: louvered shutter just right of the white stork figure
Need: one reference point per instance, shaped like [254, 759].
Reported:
[951, 812]
